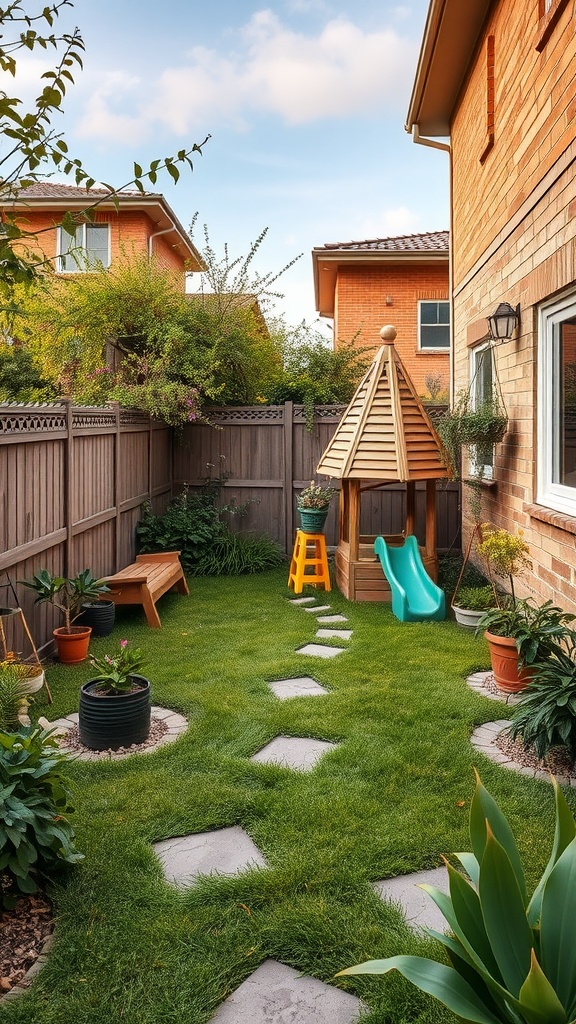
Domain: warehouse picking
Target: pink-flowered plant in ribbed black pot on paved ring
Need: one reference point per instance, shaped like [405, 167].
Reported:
[115, 708]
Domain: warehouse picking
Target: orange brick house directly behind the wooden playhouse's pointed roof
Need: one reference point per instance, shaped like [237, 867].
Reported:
[403, 281]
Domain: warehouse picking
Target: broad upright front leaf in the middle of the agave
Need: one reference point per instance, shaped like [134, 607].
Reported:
[505, 915]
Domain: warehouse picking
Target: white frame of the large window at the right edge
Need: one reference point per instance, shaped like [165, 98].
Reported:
[550, 494]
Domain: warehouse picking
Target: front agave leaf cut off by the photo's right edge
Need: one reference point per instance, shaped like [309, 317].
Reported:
[558, 949]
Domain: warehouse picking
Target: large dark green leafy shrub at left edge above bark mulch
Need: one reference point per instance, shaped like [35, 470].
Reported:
[36, 837]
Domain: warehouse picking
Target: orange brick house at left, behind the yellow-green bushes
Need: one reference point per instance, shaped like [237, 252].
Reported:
[130, 223]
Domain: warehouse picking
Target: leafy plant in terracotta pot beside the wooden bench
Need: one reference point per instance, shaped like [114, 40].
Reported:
[68, 595]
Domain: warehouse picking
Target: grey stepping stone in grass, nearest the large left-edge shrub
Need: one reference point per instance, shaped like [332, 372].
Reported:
[226, 851]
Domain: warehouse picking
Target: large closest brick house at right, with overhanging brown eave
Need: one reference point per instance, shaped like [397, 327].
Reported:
[498, 80]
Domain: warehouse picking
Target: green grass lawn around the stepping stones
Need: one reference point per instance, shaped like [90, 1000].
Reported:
[392, 799]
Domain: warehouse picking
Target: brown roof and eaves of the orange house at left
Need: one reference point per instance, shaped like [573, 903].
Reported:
[62, 198]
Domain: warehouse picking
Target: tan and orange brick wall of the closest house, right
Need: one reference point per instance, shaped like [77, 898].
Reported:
[515, 240]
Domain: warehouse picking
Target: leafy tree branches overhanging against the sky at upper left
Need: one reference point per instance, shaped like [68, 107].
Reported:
[34, 149]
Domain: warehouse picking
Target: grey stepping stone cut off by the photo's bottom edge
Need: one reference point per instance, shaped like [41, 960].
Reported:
[278, 994]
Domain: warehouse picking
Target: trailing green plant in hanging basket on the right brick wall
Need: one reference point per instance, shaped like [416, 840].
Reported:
[475, 425]
